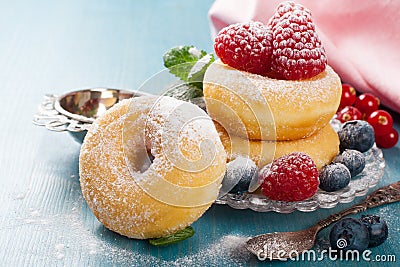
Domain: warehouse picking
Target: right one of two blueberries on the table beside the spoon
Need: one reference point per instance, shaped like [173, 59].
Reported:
[378, 230]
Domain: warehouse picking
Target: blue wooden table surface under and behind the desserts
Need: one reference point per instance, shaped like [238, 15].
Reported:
[56, 46]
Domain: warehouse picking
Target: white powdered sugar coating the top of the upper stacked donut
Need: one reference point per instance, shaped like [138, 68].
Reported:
[261, 89]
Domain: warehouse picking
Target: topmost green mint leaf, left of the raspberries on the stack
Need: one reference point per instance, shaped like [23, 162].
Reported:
[188, 63]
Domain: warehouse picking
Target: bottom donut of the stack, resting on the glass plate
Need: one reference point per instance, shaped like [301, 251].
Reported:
[322, 147]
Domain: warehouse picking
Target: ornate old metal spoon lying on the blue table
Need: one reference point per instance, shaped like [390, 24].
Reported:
[284, 245]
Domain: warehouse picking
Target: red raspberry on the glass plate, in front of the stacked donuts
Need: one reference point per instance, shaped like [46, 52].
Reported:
[293, 177]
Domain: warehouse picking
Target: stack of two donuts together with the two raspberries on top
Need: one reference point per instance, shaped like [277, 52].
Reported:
[272, 92]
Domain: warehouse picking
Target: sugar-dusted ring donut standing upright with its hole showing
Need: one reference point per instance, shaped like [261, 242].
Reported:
[151, 166]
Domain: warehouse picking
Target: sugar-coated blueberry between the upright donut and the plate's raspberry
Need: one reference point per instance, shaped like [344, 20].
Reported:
[238, 176]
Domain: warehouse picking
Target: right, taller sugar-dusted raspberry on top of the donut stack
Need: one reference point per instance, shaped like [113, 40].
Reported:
[297, 49]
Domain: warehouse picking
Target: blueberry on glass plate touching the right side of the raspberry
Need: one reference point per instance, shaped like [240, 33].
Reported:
[333, 177]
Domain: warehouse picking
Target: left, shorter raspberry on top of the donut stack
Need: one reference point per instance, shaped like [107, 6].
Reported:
[245, 46]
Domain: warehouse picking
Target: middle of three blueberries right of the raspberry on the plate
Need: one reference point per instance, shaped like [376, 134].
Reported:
[354, 160]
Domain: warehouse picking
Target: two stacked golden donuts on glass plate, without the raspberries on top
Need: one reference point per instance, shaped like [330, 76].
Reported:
[266, 118]
